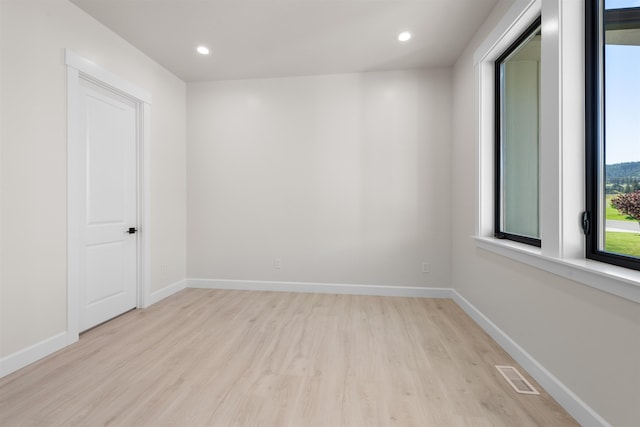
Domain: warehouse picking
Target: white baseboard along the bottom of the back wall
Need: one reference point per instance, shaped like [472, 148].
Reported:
[321, 288]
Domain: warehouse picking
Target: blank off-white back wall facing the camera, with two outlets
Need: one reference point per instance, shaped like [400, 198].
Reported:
[342, 177]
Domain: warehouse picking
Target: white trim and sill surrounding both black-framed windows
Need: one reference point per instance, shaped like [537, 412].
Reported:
[562, 178]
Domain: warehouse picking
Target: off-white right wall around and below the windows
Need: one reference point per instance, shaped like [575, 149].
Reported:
[588, 339]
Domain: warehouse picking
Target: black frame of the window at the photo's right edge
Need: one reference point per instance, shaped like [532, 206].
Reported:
[595, 26]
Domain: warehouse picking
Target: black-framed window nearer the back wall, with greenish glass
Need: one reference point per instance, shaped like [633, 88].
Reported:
[517, 103]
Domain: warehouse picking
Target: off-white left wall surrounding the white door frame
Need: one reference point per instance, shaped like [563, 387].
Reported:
[33, 253]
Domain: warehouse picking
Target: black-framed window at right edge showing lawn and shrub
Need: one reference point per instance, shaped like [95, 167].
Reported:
[613, 132]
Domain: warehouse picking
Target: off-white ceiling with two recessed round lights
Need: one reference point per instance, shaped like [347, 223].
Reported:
[274, 38]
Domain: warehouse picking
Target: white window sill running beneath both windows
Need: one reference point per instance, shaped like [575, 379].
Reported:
[615, 280]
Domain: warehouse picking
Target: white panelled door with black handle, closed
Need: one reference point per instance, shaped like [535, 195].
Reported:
[108, 282]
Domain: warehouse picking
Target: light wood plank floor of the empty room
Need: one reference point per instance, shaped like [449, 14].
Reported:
[233, 358]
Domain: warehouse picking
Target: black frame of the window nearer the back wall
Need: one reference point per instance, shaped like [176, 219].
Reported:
[498, 208]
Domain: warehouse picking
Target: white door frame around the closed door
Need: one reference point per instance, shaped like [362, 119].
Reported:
[79, 68]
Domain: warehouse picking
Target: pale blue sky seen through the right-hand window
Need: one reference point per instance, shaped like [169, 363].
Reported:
[622, 101]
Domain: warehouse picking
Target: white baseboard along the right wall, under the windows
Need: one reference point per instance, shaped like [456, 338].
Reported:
[552, 385]
